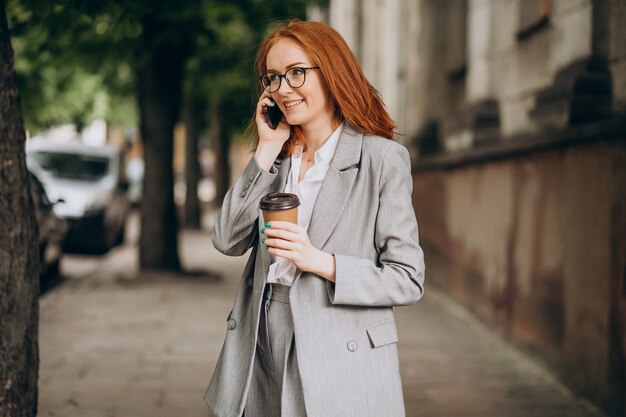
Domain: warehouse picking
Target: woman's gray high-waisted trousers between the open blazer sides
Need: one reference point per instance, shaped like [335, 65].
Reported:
[275, 389]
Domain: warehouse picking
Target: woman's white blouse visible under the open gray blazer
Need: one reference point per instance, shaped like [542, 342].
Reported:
[283, 271]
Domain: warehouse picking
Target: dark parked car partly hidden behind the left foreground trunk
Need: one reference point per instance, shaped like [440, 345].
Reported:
[52, 230]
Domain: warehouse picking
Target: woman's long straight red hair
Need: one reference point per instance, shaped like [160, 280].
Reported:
[355, 100]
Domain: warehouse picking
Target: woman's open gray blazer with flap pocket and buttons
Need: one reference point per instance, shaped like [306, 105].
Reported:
[345, 333]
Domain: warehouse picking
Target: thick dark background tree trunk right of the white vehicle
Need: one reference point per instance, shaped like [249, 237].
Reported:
[159, 76]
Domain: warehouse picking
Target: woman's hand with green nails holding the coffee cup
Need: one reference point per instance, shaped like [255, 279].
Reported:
[291, 242]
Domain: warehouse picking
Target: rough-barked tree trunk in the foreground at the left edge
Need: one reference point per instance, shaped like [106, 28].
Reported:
[19, 257]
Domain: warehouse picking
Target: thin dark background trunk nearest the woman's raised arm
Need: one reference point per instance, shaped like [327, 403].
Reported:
[219, 140]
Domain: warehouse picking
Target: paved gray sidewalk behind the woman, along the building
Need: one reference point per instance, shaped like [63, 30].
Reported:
[117, 343]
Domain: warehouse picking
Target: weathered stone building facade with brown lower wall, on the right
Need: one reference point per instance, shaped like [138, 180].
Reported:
[514, 112]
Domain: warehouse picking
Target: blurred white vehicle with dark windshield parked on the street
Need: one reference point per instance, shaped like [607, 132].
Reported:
[89, 184]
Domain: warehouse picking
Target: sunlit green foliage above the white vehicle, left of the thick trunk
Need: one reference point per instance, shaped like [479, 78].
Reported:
[73, 62]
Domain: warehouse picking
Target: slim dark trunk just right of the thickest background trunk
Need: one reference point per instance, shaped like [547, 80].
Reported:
[192, 165]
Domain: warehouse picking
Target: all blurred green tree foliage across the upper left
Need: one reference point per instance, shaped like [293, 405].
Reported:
[75, 59]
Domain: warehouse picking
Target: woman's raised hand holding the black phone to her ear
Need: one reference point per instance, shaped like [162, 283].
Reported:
[271, 141]
